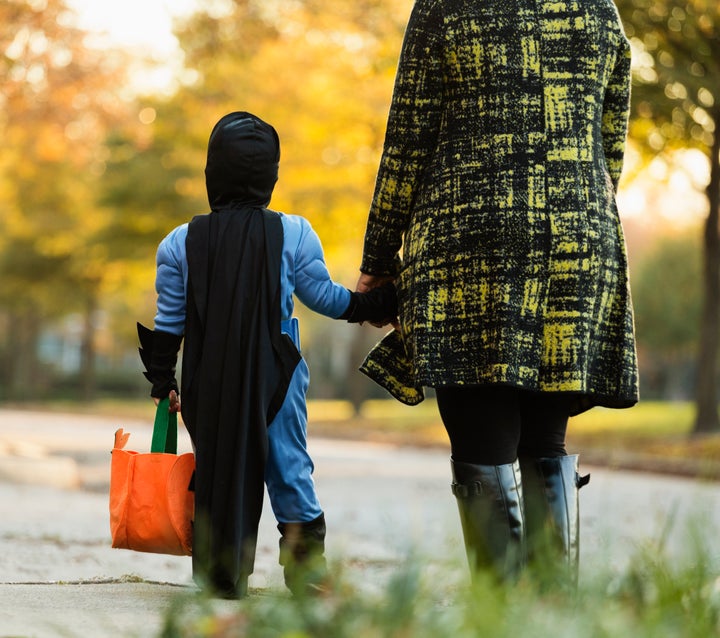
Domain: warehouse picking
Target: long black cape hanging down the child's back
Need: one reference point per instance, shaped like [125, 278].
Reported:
[237, 366]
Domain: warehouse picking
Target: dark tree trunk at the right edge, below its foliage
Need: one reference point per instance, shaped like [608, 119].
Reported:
[706, 419]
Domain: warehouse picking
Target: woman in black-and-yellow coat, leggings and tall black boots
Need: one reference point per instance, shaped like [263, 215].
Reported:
[503, 152]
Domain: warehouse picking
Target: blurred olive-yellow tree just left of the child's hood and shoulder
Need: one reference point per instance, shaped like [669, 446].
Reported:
[149, 187]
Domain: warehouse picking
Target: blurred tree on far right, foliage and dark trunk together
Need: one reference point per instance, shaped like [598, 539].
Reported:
[676, 104]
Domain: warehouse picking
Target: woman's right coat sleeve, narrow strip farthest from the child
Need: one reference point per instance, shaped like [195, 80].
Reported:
[616, 110]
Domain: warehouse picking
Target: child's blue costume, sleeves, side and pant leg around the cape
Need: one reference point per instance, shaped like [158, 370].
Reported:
[288, 472]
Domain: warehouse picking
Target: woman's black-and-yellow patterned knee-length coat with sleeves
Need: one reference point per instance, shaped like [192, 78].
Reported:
[503, 152]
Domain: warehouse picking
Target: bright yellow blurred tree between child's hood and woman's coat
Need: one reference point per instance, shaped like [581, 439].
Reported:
[322, 74]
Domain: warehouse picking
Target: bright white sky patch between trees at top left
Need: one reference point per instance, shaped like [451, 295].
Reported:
[143, 27]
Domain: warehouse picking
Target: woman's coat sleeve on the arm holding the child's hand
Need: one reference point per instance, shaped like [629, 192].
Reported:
[412, 131]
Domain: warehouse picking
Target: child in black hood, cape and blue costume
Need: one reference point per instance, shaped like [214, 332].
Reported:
[225, 283]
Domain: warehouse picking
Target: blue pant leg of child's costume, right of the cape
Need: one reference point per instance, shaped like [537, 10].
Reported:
[288, 473]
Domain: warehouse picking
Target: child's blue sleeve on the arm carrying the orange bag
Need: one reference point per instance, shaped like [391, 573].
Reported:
[170, 282]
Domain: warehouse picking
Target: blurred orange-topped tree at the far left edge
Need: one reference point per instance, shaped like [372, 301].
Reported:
[56, 98]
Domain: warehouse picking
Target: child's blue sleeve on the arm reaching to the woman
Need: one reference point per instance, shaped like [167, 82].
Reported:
[313, 285]
